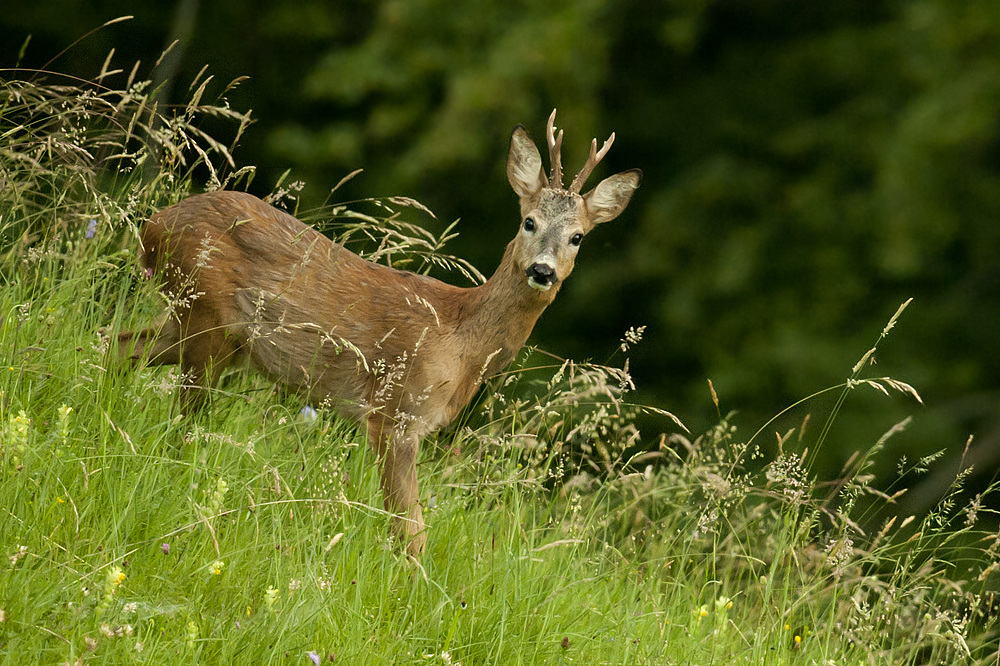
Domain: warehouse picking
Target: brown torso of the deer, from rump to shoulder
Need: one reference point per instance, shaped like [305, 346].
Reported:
[255, 282]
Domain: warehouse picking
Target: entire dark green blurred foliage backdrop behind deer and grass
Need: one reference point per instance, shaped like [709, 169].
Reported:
[808, 166]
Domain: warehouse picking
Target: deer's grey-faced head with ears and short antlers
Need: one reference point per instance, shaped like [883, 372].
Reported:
[554, 220]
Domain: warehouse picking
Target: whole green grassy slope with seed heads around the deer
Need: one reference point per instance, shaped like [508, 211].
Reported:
[253, 532]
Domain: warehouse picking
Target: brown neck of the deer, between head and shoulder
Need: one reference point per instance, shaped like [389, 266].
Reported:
[502, 313]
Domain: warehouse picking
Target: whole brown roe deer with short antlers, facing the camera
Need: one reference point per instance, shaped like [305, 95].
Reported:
[400, 352]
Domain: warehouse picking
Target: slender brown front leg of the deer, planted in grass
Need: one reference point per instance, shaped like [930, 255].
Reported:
[397, 455]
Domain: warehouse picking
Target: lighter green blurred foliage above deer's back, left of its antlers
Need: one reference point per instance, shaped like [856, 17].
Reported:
[426, 98]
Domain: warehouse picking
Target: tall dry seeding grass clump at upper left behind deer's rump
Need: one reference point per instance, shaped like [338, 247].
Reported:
[84, 159]
